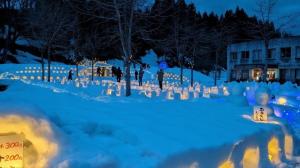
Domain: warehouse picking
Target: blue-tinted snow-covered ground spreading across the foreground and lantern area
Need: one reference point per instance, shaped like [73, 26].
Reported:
[94, 125]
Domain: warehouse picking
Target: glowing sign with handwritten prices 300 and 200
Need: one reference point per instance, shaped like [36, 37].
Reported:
[11, 151]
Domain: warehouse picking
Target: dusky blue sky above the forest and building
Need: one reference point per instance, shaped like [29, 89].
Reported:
[283, 8]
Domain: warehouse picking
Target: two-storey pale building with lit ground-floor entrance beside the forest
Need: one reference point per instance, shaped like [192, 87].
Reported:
[247, 61]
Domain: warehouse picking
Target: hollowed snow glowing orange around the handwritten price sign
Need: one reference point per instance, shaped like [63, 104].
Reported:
[39, 146]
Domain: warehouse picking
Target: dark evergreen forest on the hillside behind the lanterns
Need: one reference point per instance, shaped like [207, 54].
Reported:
[71, 30]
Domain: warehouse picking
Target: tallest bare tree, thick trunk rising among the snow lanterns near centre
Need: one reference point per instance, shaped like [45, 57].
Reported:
[122, 13]
